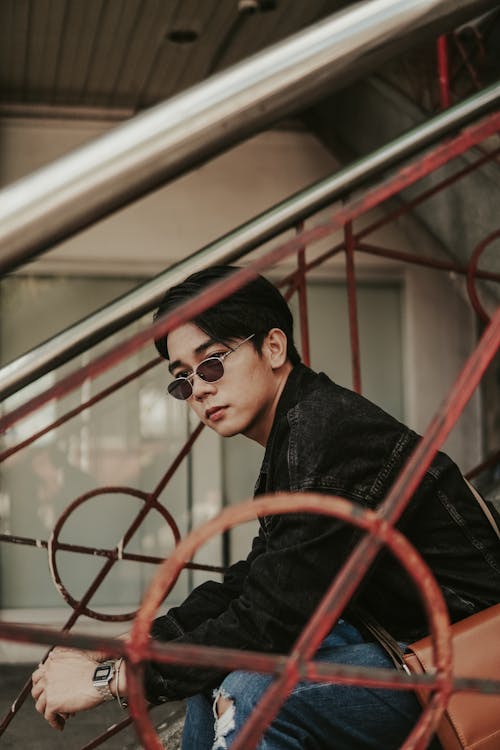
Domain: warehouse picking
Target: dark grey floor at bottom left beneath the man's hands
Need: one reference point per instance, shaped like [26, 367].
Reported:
[28, 730]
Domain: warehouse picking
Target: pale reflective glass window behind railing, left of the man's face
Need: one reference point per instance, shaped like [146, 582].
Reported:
[126, 440]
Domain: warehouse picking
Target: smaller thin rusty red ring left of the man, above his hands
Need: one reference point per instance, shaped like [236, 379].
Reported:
[53, 546]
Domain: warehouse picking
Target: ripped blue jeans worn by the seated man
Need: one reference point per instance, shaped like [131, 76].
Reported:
[315, 716]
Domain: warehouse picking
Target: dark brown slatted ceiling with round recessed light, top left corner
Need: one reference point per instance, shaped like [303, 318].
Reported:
[126, 55]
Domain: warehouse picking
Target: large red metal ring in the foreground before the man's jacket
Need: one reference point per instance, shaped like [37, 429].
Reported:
[364, 519]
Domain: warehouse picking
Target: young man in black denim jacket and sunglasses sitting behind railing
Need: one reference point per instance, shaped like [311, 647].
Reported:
[238, 369]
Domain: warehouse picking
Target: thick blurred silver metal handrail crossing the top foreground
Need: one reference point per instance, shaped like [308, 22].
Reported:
[167, 140]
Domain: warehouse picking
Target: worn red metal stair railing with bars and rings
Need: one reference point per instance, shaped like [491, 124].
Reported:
[378, 527]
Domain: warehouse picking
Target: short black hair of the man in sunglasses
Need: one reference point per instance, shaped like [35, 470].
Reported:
[255, 308]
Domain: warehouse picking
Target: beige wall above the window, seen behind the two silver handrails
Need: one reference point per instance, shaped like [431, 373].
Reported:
[176, 220]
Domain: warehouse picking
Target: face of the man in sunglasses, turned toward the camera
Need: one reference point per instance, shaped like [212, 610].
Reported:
[244, 399]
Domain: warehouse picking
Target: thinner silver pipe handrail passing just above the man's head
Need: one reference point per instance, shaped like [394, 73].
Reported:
[231, 247]
